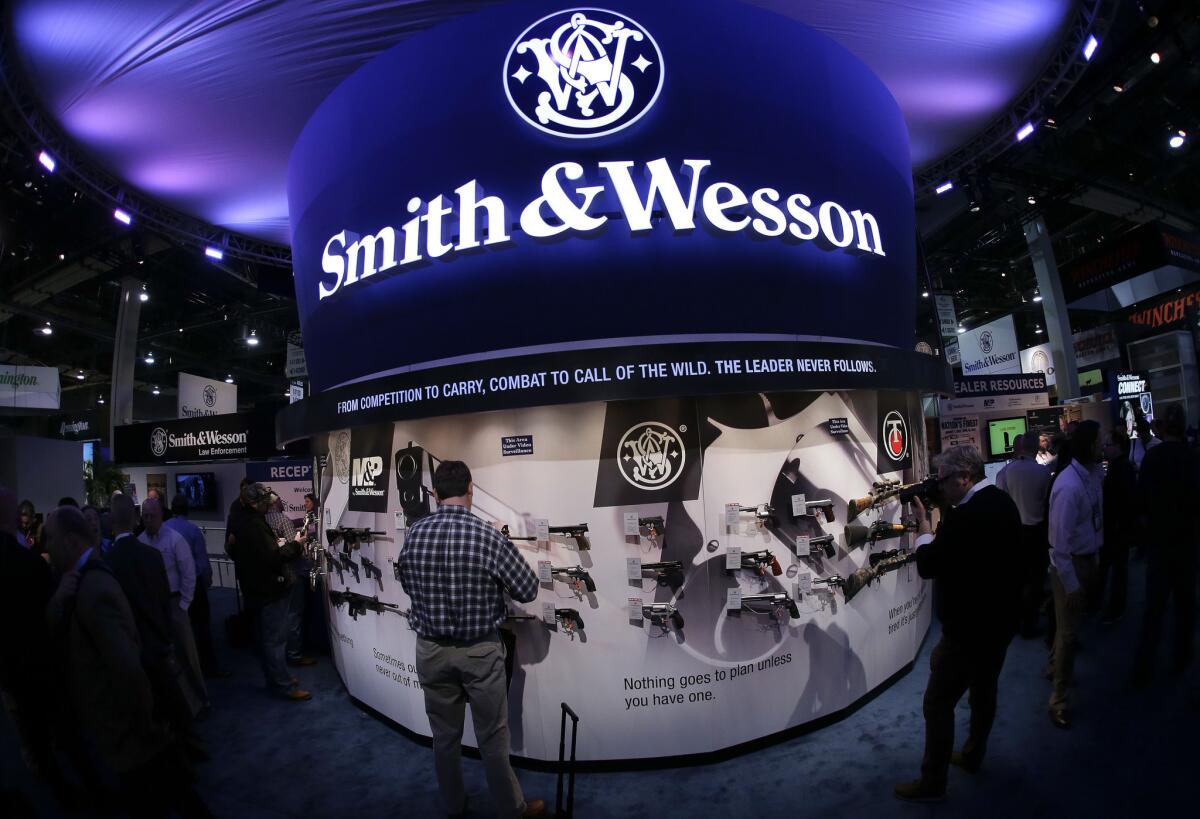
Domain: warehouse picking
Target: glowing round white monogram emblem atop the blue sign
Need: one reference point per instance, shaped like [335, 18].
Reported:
[584, 73]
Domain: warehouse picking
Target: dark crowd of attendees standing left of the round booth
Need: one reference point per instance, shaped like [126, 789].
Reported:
[106, 644]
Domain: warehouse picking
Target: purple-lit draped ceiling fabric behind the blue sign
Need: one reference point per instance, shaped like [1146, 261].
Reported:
[199, 104]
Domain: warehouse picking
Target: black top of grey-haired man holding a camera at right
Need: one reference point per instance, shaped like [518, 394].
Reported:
[974, 560]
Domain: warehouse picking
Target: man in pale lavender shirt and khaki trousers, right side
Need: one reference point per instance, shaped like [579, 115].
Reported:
[1077, 533]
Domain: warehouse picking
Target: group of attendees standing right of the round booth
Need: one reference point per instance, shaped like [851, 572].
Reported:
[1071, 510]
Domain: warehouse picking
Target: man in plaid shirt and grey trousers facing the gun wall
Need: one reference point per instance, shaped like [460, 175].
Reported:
[457, 570]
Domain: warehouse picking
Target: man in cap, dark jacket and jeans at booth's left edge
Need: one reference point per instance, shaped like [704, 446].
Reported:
[266, 576]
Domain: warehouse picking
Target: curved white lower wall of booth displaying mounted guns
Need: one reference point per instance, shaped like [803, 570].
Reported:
[725, 679]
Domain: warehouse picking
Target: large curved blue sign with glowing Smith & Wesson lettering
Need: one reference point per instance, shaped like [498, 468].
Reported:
[543, 181]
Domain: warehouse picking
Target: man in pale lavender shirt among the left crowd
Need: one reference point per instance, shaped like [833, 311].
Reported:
[177, 558]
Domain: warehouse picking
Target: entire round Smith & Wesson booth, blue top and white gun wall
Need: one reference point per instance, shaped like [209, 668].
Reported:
[676, 354]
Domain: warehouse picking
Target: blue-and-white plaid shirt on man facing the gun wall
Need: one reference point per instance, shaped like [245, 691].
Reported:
[457, 569]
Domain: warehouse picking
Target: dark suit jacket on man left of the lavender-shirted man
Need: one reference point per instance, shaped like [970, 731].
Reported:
[142, 575]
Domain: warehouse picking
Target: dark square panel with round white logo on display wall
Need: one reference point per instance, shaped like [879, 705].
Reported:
[650, 453]
